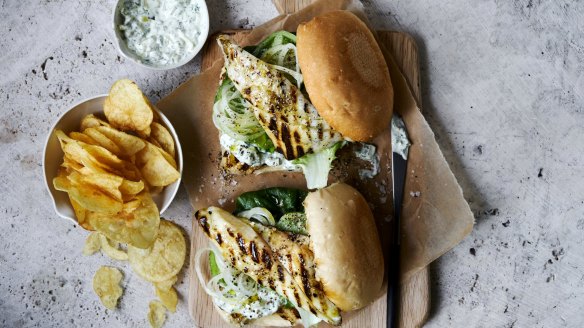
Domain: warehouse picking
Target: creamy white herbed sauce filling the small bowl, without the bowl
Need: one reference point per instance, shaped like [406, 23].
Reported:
[161, 32]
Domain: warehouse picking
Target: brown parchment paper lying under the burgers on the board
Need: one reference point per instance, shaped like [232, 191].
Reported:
[434, 221]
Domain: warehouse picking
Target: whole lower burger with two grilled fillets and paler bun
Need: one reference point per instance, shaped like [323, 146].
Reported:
[287, 257]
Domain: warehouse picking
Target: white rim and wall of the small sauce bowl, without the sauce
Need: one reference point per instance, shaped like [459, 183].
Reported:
[123, 47]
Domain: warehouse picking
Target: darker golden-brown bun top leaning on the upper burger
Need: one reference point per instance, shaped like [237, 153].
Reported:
[345, 74]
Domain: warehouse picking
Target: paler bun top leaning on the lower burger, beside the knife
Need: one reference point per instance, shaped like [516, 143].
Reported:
[346, 246]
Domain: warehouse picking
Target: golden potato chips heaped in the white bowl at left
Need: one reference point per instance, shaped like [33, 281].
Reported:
[111, 168]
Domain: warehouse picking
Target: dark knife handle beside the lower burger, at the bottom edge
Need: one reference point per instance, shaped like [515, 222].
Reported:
[393, 286]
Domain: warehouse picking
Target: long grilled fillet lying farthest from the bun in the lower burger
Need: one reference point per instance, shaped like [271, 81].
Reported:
[248, 252]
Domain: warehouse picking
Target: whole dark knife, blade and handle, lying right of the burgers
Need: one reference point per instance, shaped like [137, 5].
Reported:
[399, 171]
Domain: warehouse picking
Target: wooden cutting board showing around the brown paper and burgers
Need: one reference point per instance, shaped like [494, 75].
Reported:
[415, 297]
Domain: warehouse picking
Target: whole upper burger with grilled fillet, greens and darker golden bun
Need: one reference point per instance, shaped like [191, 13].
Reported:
[292, 101]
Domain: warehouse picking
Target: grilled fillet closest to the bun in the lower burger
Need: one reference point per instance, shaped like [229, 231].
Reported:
[295, 255]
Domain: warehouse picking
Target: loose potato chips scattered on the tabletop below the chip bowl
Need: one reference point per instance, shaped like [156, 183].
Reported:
[159, 264]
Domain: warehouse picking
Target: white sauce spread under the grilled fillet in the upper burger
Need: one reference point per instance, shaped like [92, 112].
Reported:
[255, 156]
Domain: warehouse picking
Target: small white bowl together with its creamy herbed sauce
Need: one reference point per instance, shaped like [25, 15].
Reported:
[161, 34]
